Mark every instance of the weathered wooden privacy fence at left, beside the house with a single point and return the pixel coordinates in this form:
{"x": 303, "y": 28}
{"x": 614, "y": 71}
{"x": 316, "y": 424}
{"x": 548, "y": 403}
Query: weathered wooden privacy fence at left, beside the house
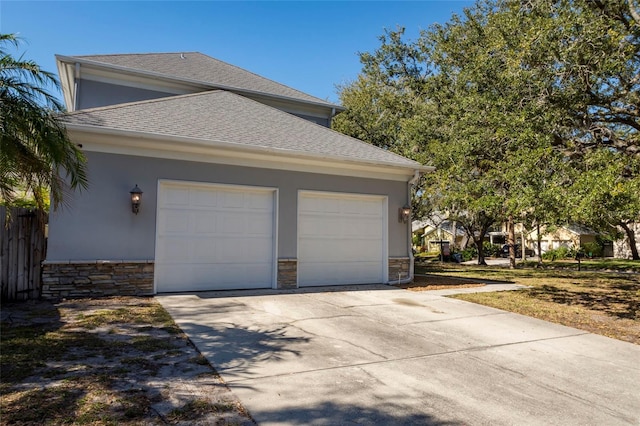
{"x": 22, "y": 250}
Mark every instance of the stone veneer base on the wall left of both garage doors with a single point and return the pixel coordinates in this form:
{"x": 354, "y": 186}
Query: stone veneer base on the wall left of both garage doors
{"x": 73, "y": 279}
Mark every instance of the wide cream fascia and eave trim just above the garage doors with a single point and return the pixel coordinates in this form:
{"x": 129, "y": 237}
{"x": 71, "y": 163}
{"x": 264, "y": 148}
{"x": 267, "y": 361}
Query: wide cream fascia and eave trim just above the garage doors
{"x": 144, "y": 144}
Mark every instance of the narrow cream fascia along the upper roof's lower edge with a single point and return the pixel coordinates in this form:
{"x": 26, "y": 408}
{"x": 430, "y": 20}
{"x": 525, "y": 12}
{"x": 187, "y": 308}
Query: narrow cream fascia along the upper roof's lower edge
{"x": 129, "y": 71}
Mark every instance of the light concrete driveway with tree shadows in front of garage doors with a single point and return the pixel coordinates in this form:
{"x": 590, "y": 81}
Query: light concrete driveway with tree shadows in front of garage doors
{"x": 380, "y": 355}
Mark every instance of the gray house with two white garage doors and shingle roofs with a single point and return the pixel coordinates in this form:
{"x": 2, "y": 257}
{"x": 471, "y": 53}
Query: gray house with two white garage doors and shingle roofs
{"x": 243, "y": 184}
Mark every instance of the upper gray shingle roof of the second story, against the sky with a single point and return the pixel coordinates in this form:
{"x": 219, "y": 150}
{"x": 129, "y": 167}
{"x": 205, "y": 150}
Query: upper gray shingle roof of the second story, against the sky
{"x": 197, "y": 67}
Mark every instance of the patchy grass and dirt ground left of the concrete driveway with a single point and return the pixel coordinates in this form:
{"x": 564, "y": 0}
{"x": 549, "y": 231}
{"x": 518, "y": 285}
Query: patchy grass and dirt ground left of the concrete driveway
{"x": 119, "y": 360}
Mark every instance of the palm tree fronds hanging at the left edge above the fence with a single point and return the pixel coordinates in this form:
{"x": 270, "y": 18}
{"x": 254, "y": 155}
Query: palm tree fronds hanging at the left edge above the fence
{"x": 34, "y": 146}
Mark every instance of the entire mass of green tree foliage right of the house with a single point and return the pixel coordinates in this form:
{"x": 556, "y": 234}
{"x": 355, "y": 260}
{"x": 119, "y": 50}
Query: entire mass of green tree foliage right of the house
{"x": 518, "y": 105}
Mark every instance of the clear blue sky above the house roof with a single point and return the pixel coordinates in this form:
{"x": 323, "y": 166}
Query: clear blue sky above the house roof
{"x": 309, "y": 45}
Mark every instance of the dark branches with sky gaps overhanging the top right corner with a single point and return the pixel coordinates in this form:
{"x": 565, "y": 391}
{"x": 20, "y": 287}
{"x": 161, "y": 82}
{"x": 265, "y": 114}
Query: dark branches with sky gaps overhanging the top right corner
{"x": 595, "y": 57}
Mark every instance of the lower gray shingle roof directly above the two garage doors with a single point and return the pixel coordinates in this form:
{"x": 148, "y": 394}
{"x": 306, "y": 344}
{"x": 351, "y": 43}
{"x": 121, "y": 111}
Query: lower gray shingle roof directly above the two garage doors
{"x": 221, "y": 116}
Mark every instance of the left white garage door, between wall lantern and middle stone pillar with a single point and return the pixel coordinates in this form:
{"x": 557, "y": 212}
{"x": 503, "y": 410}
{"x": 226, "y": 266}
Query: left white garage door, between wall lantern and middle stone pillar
{"x": 214, "y": 237}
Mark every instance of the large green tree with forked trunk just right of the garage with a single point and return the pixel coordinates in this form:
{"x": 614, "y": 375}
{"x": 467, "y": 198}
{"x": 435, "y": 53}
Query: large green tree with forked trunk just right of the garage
{"x": 467, "y": 111}
